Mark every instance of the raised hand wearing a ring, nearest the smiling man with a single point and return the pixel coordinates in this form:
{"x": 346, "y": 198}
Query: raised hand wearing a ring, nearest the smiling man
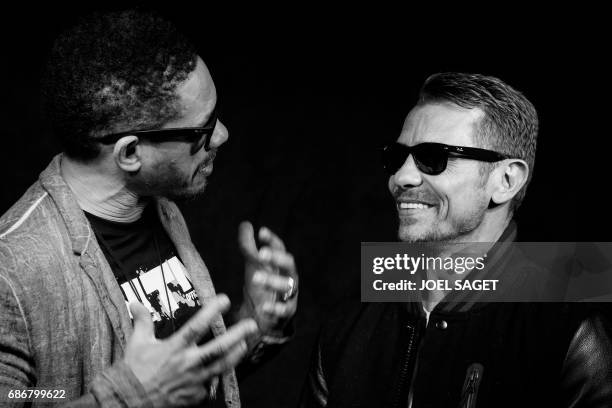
{"x": 271, "y": 279}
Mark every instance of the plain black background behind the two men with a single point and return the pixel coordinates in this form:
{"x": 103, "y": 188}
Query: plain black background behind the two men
{"x": 308, "y": 94}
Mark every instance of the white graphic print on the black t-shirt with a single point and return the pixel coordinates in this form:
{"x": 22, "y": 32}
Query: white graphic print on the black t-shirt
{"x": 170, "y": 297}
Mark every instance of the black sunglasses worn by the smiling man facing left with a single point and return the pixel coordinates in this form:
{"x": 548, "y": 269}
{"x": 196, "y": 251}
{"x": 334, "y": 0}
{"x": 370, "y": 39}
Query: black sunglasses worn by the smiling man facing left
{"x": 432, "y": 158}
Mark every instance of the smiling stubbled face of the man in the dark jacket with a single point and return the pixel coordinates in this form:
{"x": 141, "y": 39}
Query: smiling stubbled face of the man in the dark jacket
{"x": 452, "y": 206}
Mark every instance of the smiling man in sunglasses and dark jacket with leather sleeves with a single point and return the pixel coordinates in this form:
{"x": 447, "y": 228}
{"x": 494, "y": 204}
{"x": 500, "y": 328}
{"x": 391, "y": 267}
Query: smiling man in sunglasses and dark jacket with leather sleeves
{"x": 458, "y": 172}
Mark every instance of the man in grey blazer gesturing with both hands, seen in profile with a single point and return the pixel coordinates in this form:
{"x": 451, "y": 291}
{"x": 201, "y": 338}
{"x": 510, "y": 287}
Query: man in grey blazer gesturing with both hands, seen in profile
{"x": 104, "y": 300}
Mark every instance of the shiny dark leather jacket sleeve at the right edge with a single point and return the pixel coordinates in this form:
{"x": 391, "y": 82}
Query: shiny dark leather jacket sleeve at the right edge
{"x": 587, "y": 369}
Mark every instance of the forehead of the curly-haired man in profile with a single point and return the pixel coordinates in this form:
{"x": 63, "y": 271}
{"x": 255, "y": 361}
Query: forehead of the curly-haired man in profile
{"x": 197, "y": 94}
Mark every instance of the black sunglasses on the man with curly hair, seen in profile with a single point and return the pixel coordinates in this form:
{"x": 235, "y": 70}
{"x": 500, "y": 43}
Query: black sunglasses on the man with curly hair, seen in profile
{"x": 198, "y": 136}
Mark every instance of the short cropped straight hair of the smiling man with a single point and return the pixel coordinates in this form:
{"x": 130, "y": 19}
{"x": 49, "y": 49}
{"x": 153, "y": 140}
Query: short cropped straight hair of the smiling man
{"x": 510, "y": 124}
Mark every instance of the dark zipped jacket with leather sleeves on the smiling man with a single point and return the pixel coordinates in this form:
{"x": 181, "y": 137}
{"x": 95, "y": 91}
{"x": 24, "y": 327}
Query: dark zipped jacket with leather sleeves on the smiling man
{"x": 470, "y": 354}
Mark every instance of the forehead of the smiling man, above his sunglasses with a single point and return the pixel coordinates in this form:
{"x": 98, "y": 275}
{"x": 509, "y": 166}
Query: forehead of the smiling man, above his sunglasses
{"x": 441, "y": 123}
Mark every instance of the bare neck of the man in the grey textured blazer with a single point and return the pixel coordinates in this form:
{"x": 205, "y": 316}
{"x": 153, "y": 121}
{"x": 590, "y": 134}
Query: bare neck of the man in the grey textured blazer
{"x": 100, "y": 190}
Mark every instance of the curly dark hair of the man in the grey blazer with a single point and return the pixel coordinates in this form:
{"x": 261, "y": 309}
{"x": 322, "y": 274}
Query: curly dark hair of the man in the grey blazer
{"x": 112, "y": 72}
